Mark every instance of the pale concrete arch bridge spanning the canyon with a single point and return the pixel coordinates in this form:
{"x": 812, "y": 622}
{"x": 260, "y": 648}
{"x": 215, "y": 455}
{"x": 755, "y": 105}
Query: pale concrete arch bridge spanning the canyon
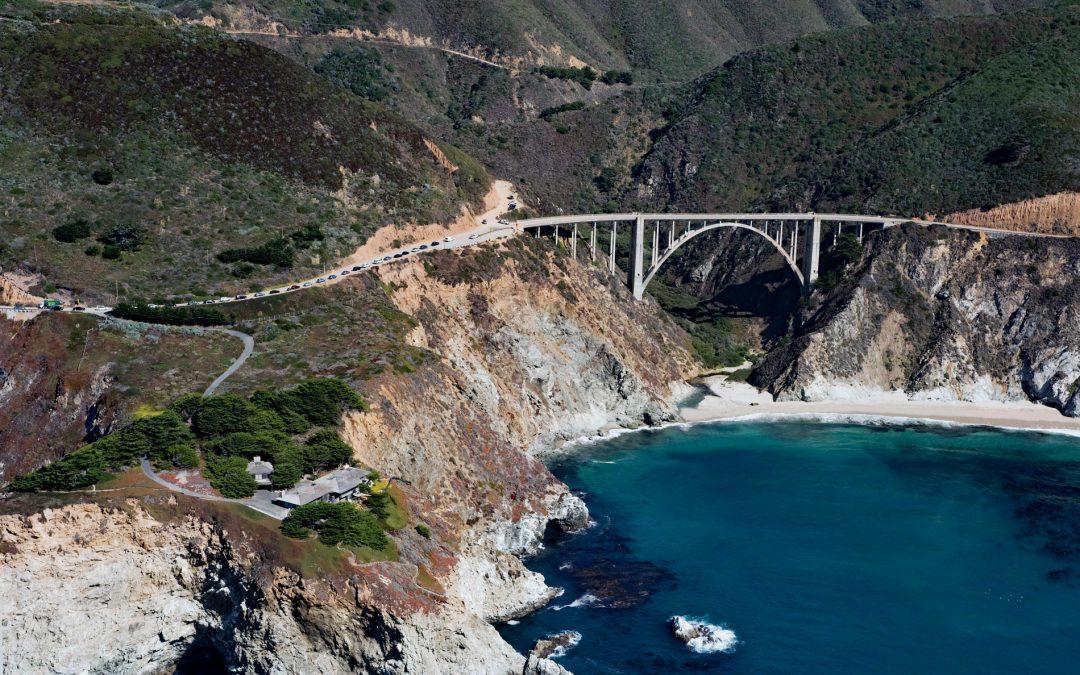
{"x": 655, "y": 238}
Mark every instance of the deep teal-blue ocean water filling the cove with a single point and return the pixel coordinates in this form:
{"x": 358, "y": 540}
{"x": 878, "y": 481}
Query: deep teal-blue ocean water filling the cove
{"x": 823, "y": 548}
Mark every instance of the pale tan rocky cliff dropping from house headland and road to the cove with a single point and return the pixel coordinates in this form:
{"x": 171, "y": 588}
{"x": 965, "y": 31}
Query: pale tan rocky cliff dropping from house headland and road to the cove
{"x": 521, "y": 348}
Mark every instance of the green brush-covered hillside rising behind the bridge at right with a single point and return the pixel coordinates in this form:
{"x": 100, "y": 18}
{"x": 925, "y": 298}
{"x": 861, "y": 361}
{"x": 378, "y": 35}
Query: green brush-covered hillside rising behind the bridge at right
{"x": 899, "y": 118}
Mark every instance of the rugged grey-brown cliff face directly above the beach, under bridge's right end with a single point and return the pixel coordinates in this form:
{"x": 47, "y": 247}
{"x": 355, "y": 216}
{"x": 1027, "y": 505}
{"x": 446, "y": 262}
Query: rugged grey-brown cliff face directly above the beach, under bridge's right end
{"x": 943, "y": 315}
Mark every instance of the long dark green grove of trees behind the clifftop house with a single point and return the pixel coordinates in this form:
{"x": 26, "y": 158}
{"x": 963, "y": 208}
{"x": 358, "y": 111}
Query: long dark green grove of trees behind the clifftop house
{"x": 229, "y": 429}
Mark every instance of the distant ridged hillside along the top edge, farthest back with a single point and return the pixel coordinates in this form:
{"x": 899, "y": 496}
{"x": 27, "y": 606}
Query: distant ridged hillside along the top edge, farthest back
{"x": 655, "y": 39}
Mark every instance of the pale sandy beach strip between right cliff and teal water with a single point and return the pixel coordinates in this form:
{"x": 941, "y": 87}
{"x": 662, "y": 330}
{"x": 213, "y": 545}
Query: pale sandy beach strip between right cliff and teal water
{"x": 739, "y": 400}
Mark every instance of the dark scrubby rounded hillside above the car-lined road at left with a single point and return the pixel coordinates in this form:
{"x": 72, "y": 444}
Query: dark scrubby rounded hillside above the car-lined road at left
{"x": 156, "y": 148}
